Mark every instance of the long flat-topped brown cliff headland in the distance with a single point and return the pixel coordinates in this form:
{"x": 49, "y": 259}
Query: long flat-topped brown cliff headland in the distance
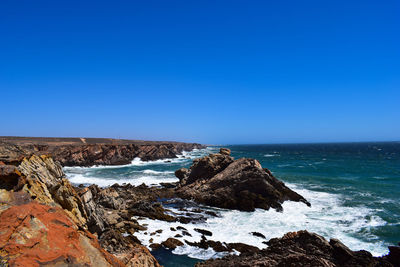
{"x": 96, "y": 151}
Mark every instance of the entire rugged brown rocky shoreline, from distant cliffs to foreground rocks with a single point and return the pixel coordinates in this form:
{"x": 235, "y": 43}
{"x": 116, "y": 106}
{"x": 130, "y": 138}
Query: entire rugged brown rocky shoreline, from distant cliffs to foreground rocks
{"x": 40, "y": 211}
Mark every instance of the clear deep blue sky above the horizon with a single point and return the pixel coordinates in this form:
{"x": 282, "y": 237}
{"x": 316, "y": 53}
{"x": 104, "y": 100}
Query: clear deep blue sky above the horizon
{"x": 206, "y": 71}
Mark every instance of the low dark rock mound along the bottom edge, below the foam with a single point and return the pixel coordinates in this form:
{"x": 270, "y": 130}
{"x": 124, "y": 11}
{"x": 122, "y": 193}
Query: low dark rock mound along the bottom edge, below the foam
{"x": 301, "y": 248}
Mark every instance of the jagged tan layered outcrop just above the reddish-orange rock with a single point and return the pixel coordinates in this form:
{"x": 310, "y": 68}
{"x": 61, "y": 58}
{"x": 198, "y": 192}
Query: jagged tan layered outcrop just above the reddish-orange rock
{"x": 42, "y": 179}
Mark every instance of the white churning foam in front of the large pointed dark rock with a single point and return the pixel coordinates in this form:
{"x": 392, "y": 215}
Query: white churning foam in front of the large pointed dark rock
{"x": 327, "y": 217}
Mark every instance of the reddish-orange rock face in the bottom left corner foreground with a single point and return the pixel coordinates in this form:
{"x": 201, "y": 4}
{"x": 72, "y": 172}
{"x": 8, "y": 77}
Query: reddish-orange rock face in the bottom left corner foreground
{"x": 34, "y": 234}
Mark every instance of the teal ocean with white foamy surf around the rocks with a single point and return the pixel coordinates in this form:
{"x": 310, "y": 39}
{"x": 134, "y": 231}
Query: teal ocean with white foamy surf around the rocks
{"x": 354, "y": 190}
